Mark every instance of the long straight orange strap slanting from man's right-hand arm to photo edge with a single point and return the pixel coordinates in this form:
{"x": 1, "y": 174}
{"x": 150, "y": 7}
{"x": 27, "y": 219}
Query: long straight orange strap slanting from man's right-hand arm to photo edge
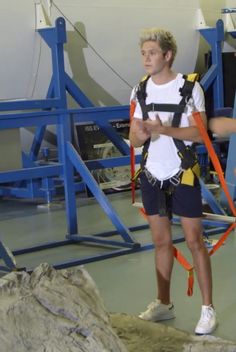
{"x": 214, "y": 159}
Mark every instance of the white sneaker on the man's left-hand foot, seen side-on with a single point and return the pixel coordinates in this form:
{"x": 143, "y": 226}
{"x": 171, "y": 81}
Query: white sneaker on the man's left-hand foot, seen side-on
{"x": 156, "y": 311}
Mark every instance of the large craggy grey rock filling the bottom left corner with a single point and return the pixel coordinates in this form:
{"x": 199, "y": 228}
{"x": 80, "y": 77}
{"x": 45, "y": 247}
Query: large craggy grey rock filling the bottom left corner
{"x": 54, "y": 311}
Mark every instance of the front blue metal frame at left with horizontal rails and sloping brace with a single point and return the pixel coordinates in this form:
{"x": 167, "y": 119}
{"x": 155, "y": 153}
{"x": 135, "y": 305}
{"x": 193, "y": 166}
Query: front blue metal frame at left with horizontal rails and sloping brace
{"x": 70, "y": 159}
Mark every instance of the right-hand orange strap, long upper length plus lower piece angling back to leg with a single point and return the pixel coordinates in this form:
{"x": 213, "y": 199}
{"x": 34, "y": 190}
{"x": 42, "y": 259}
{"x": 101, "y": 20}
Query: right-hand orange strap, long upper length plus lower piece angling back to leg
{"x": 218, "y": 169}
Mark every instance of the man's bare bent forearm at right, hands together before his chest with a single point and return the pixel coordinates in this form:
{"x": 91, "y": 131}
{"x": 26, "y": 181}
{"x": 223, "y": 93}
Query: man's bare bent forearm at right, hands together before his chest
{"x": 190, "y": 133}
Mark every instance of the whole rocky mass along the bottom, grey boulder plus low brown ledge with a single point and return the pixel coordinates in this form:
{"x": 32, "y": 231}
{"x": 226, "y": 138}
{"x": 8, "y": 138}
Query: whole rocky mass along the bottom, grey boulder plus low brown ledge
{"x": 62, "y": 311}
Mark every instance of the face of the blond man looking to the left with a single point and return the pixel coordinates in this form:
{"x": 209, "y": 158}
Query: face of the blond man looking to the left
{"x": 153, "y": 58}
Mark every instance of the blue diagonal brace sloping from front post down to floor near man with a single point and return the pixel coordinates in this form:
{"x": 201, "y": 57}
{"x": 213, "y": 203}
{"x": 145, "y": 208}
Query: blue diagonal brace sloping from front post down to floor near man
{"x": 97, "y": 192}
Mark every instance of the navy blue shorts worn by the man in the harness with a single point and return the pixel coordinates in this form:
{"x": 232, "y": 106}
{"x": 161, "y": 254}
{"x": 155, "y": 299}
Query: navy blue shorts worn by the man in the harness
{"x": 186, "y": 200}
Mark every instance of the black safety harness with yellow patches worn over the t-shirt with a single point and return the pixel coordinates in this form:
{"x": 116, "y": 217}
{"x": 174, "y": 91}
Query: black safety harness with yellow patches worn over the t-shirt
{"x": 187, "y": 154}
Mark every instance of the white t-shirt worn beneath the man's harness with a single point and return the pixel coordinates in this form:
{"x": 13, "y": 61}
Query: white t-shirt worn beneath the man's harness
{"x": 163, "y": 161}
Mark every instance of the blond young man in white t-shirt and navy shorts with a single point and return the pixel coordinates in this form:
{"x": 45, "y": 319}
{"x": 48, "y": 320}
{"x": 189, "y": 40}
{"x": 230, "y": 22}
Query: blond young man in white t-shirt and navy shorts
{"x": 162, "y": 172}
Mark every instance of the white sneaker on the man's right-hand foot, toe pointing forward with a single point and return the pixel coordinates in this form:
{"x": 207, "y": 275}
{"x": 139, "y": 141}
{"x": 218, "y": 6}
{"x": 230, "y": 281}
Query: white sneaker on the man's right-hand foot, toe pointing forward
{"x": 207, "y": 322}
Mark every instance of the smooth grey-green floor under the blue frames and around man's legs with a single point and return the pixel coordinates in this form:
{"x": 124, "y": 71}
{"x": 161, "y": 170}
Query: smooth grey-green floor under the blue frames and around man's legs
{"x": 126, "y": 283}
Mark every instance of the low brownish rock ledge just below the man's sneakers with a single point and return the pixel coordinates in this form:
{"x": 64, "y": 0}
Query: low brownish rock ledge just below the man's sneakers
{"x": 142, "y": 336}
